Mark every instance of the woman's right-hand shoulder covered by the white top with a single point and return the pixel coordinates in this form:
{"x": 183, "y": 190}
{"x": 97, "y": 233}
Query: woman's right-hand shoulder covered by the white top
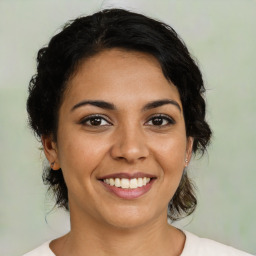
{"x": 196, "y": 246}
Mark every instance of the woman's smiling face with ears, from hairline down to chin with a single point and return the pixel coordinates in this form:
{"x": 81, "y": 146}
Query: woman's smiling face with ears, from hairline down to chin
{"x": 121, "y": 141}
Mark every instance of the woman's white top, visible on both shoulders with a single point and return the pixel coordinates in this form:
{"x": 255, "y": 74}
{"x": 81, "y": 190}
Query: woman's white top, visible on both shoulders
{"x": 194, "y": 246}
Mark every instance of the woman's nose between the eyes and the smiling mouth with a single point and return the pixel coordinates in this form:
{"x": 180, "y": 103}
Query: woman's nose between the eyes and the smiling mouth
{"x": 129, "y": 144}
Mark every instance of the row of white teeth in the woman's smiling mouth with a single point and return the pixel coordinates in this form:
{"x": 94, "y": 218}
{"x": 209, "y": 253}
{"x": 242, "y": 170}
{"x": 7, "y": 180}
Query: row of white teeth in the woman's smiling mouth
{"x": 127, "y": 183}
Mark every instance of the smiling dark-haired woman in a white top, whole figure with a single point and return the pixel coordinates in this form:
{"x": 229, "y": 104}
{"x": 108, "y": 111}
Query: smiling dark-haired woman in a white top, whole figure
{"x": 118, "y": 104}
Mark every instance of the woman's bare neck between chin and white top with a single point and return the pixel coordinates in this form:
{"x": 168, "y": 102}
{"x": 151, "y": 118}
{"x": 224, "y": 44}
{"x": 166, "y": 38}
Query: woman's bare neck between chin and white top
{"x": 90, "y": 237}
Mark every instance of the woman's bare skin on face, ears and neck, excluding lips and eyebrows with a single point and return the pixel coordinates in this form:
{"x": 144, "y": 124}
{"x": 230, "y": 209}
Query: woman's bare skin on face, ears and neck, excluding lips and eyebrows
{"x": 125, "y": 140}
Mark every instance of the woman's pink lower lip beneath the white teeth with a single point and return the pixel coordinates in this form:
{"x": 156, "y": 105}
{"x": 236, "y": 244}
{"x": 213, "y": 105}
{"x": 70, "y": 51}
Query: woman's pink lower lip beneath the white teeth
{"x": 129, "y": 193}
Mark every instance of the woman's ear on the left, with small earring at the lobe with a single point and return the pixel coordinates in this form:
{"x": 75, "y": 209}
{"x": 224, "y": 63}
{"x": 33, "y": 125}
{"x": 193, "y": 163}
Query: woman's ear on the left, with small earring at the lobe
{"x": 50, "y": 151}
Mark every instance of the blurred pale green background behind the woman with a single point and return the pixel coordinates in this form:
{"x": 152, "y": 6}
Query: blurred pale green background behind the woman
{"x": 222, "y": 36}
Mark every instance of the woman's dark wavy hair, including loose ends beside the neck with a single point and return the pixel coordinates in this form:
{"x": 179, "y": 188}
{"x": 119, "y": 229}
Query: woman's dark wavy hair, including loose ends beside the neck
{"x": 117, "y": 28}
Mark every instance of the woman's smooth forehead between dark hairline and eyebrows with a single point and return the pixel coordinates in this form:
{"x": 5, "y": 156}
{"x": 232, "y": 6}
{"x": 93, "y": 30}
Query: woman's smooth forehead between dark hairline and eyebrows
{"x": 120, "y": 75}
